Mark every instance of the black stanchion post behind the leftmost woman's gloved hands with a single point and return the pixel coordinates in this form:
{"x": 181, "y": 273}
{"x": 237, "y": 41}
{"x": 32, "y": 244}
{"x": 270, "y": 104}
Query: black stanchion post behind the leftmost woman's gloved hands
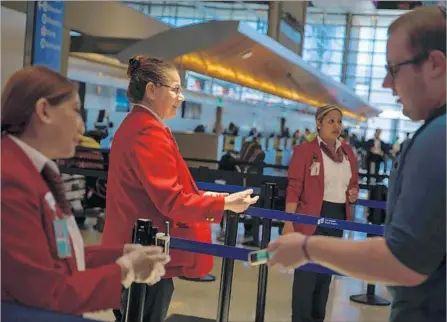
{"x": 144, "y": 234}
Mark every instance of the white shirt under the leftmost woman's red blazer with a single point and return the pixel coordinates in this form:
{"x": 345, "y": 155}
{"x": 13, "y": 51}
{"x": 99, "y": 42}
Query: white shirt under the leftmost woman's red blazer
{"x": 39, "y": 161}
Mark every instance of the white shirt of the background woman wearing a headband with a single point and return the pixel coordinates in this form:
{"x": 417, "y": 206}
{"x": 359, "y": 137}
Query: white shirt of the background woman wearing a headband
{"x": 336, "y": 177}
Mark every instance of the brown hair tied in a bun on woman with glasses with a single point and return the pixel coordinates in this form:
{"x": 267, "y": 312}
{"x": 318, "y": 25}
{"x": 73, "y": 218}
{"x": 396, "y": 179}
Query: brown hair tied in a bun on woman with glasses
{"x": 142, "y": 70}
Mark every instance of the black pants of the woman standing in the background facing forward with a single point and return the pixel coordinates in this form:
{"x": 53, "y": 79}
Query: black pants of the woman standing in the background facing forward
{"x": 311, "y": 290}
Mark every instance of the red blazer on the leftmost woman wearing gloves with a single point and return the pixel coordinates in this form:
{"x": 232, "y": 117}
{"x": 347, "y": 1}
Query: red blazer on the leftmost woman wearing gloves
{"x": 32, "y": 273}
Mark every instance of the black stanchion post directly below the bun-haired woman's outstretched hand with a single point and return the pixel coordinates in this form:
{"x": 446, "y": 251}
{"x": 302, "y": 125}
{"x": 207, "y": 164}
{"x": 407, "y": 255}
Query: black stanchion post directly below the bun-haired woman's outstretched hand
{"x": 226, "y": 279}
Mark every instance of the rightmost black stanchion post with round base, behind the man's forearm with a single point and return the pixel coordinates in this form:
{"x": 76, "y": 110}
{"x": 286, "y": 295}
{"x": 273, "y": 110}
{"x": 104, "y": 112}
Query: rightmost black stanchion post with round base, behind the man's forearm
{"x": 375, "y": 218}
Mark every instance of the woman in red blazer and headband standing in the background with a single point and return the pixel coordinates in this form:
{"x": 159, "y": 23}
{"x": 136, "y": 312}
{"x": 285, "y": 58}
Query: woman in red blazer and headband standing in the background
{"x": 323, "y": 181}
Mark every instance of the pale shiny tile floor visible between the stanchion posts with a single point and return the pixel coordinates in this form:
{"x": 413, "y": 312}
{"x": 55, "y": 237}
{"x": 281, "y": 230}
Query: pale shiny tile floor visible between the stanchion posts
{"x": 200, "y": 299}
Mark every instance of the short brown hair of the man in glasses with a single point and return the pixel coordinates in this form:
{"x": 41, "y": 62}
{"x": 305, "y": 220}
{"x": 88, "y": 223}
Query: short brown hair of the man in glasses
{"x": 426, "y": 27}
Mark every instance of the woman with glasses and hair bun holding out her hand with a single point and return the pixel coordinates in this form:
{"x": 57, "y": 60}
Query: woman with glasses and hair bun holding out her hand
{"x": 149, "y": 178}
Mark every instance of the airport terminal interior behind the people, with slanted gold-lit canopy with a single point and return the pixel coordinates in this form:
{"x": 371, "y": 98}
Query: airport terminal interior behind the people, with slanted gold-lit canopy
{"x": 251, "y": 71}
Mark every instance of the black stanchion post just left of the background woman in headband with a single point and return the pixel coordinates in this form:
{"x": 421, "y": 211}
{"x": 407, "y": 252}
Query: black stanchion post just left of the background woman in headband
{"x": 269, "y": 192}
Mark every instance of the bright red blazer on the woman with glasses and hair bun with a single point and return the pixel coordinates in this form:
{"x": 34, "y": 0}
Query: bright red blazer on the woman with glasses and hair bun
{"x": 148, "y": 178}
